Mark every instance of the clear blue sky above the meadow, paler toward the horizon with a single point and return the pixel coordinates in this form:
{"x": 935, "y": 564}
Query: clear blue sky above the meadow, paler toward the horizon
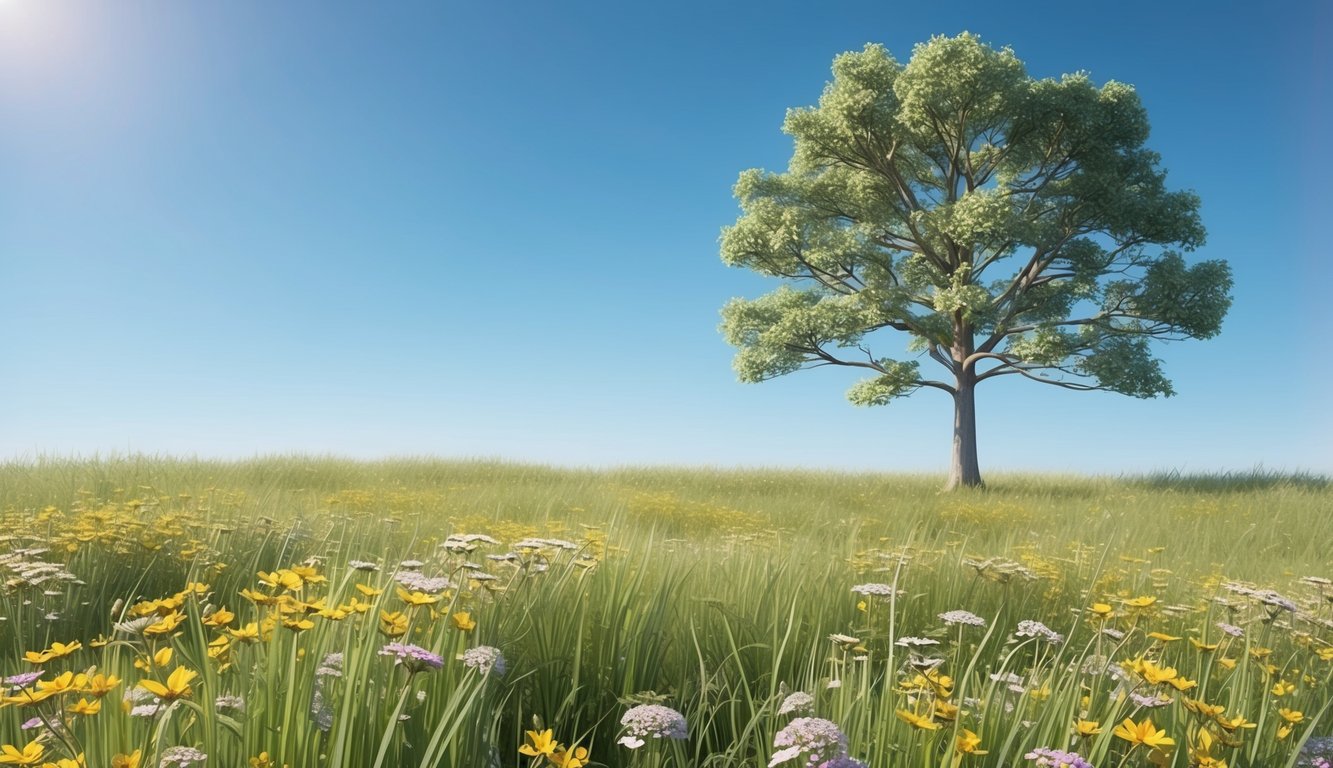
{"x": 490, "y": 230}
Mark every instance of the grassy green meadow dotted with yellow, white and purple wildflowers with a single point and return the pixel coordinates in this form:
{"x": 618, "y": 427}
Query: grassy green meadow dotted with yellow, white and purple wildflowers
{"x": 305, "y": 611}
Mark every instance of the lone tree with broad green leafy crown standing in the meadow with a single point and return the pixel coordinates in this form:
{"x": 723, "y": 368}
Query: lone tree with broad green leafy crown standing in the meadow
{"x": 1007, "y": 226}
